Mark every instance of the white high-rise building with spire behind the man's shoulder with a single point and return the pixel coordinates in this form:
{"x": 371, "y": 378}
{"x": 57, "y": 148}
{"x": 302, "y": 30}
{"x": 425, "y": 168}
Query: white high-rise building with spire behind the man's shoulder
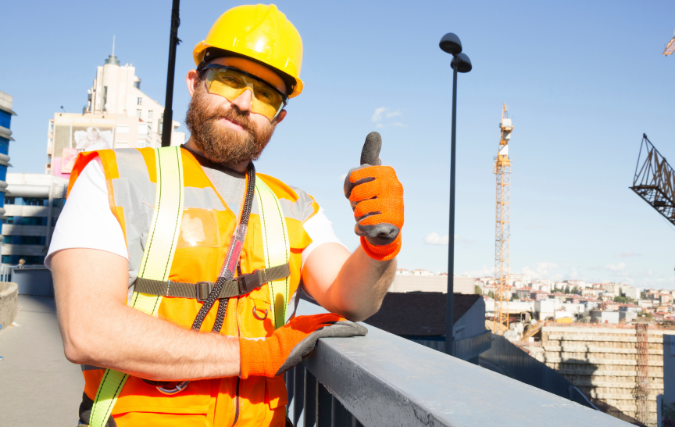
{"x": 117, "y": 115}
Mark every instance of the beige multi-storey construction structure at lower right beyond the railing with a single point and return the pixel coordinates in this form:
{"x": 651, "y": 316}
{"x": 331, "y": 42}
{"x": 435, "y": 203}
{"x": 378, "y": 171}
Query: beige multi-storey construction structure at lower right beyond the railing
{"x": 618, "y": 367}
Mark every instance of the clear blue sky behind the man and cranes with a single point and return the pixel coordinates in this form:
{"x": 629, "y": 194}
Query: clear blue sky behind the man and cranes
{"x": 583, "y": 81}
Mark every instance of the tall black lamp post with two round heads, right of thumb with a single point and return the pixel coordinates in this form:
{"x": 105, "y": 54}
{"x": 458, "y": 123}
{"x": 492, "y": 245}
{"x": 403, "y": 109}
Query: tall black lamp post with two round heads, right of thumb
{"x": 460, "y": 63}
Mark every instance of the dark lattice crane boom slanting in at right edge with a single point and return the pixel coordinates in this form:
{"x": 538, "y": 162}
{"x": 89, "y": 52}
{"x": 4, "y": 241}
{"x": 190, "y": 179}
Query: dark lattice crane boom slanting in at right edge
{"x": 654, "y": 180}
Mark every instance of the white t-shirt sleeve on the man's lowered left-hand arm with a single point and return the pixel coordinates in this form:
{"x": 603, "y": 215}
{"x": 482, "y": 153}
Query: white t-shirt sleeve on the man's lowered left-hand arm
{"x": 86, "y": 220}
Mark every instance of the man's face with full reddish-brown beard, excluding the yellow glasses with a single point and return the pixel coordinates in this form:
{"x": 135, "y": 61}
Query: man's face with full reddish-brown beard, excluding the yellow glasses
{"x": 228, "y": 132}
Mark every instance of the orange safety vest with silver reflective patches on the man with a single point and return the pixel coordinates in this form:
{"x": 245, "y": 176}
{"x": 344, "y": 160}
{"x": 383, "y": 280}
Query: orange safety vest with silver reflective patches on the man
{"x": 257, "y": 401}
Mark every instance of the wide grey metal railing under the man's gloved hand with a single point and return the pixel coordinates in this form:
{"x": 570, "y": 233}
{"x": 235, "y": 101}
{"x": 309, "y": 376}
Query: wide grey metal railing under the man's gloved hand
{"x": 385, "y": 380}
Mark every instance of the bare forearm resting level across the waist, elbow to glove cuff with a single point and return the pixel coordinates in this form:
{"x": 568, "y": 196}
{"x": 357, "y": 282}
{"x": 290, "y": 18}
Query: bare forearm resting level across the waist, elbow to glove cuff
{"x": 127, "y": 340}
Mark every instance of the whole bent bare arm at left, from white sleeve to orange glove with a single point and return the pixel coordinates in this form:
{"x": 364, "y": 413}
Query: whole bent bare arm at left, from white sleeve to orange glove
{"x": 98, "y": 328}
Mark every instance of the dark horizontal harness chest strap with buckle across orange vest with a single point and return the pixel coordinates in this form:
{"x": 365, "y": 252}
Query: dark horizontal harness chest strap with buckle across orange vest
{"x": 240, "y": 285}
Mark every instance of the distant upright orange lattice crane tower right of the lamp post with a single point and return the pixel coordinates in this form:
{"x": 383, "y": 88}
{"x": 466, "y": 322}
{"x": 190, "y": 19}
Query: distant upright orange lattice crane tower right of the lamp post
{"x": 503, "y": 171}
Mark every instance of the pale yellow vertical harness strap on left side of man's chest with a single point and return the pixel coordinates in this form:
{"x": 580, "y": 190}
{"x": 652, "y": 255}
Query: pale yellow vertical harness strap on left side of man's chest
{"x": 156, "y": 264}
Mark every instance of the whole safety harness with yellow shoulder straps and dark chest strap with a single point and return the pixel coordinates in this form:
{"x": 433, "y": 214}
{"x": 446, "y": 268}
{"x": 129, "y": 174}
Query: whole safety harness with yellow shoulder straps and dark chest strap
{"x": 153, "y": 284}
